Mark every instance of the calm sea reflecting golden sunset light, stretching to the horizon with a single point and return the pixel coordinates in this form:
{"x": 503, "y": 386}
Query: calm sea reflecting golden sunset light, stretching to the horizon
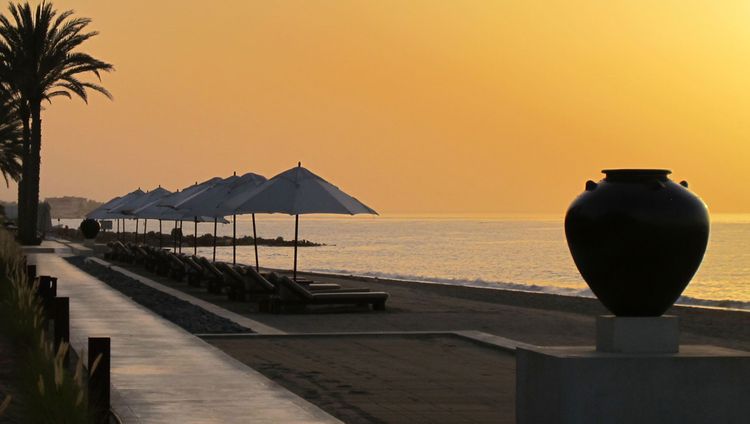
{"x": 517, "y": 252}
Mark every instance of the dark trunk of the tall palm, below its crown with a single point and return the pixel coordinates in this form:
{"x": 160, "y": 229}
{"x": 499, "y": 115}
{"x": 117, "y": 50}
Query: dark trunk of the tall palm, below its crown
{"x": 31, "y": 190}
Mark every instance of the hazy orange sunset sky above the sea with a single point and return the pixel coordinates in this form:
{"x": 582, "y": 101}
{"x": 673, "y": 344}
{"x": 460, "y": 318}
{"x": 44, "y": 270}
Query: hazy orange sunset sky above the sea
{"x": 411, "y": 106}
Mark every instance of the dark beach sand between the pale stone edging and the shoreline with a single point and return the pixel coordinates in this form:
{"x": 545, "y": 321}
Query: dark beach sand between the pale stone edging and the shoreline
{"x": 534, "y": 318}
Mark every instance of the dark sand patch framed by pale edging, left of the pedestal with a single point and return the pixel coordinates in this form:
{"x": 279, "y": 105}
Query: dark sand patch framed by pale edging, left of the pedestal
{"x": 388, "y": 379}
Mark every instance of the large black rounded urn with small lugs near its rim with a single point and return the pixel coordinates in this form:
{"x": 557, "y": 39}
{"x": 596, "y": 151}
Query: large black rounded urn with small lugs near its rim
{"x": 637, "y": 238}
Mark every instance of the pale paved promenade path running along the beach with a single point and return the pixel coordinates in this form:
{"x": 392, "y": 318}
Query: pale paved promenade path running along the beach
{"x": 161, "y": 373}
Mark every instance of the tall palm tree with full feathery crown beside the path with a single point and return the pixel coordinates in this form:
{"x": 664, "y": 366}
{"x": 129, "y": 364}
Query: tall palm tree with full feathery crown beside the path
{"x": 39, "y": 61}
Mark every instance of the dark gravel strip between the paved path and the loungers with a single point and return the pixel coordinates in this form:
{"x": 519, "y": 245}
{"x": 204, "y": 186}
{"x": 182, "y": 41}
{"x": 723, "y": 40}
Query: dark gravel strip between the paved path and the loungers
{"x": 192, "y": 318}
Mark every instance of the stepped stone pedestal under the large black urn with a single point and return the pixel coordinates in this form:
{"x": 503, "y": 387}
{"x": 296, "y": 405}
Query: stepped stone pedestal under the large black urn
{"x": 626, "y": 380}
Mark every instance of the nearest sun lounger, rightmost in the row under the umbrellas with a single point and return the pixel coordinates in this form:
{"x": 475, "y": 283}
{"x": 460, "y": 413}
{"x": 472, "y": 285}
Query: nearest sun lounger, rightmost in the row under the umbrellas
{"x": 292, "y": 294}
